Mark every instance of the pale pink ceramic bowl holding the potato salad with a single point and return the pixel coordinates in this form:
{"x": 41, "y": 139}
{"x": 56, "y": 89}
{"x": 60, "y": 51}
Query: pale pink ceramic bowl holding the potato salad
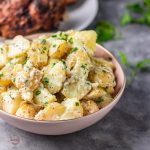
{"x": 69, "y": 126}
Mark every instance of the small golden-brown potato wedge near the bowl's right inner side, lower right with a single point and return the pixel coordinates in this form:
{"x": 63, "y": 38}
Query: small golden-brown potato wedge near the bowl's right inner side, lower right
{"x": 95, "y": 93}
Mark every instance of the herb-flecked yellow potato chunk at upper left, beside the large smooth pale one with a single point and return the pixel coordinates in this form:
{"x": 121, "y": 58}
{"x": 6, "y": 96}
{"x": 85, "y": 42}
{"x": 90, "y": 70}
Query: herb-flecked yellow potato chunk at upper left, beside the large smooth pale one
{"x": 38, "y": 53}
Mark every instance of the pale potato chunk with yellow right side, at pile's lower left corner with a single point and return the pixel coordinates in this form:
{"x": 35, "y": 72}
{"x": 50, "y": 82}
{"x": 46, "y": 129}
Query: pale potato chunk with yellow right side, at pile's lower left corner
{"x": 11, "y": 100}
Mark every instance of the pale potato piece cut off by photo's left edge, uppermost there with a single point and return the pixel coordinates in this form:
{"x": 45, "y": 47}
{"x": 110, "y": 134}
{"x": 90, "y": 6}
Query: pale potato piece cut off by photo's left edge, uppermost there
{"x": 3, "y": 55}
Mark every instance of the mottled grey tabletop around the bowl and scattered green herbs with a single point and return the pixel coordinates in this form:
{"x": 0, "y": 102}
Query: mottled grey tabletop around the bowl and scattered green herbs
{"x": 127, "y": 126}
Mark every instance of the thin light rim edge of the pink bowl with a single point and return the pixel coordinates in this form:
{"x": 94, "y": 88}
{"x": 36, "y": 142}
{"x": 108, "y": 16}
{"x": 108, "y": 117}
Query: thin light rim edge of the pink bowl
{"x": 120, "y": 92}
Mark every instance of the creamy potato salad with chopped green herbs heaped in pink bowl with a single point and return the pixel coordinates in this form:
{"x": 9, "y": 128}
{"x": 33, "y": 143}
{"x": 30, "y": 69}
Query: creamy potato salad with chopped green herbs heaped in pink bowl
{"x": 54, "y": 77}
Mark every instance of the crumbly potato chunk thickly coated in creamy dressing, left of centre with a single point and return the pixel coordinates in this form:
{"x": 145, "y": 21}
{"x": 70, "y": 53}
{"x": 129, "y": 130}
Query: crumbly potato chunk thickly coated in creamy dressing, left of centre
{"x": 26, "y": 79}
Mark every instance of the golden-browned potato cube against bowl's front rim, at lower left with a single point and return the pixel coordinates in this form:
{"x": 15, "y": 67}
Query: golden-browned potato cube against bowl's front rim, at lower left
{"x": 27, "y": 110}
